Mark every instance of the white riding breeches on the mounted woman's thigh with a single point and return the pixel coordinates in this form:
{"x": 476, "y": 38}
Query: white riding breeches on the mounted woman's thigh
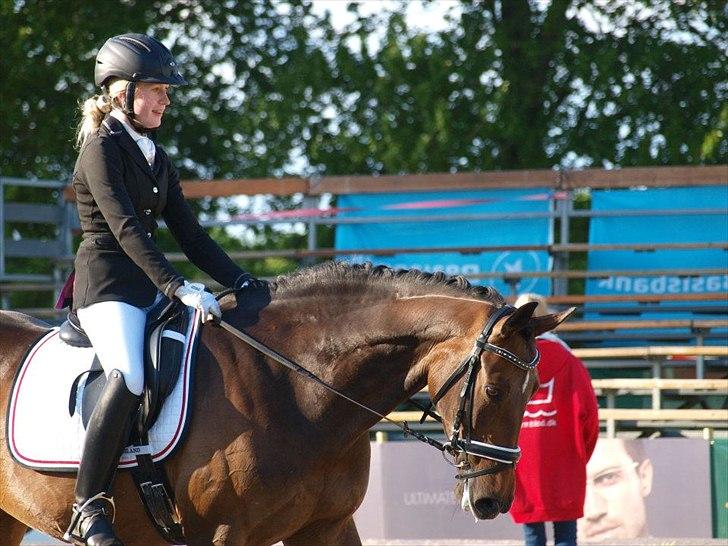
{"x": 116, "y": 330}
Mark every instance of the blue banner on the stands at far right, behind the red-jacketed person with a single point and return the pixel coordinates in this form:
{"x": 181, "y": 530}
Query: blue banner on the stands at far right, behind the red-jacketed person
{"x": 662, "y": 228}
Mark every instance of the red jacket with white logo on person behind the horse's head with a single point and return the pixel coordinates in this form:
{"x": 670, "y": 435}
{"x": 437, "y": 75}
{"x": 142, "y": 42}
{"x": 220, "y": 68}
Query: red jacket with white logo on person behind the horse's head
{"x": 560, "y": 428}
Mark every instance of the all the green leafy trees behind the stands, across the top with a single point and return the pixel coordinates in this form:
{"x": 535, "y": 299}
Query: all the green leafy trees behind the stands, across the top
{"x": 275, "y": 90}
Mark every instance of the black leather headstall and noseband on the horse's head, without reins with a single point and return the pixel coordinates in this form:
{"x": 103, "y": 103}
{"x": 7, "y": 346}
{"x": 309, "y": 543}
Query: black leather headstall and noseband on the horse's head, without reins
{"x": 502, "y": 455}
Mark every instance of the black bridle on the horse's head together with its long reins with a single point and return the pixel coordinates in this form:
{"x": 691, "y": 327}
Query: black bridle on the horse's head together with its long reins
{"x": 502, "y": 455}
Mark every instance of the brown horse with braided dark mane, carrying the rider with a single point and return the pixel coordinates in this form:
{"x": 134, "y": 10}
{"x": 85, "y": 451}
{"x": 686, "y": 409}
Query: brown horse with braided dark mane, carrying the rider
{"x": 272, "y": 456}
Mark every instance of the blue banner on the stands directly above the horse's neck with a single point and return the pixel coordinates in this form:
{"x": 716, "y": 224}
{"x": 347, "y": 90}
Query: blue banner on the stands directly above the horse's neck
{"x": 420, "y": 232}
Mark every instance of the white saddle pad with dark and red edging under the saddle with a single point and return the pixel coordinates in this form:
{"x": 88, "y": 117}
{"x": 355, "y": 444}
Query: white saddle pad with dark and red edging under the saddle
{"x": 40, "y": 432}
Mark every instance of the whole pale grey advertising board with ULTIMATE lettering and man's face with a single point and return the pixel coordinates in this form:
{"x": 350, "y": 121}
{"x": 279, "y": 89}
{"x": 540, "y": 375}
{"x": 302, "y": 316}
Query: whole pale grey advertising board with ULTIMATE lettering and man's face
{"x": 635, "y": 488}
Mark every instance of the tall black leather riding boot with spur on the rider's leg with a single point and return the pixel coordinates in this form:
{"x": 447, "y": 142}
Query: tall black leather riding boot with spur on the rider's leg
{"x": 106, "y": 436}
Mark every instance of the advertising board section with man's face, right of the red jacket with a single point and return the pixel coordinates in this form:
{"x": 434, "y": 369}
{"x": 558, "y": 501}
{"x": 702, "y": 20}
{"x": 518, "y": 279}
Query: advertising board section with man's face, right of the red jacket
{"x": 647, "y": 488}
